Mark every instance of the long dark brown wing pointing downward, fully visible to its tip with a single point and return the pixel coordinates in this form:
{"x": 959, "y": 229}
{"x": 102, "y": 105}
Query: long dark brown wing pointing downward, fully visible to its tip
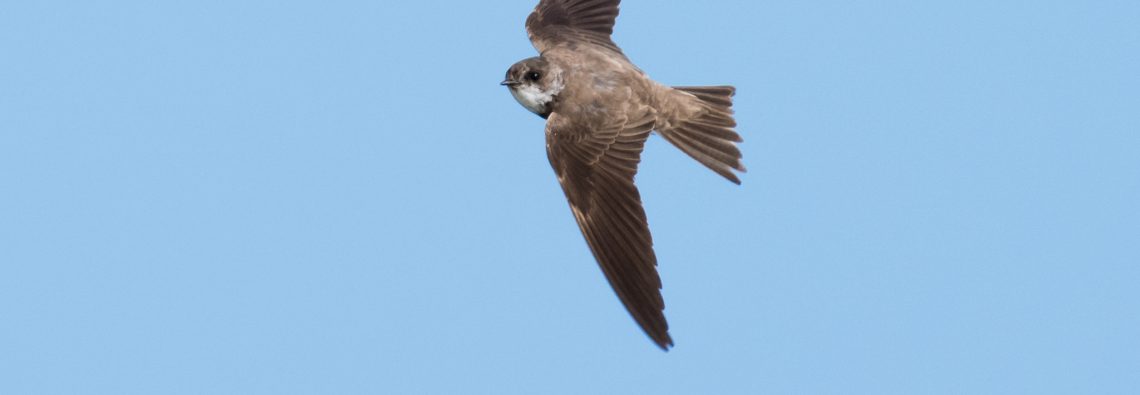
{"x": 597, "y": 171}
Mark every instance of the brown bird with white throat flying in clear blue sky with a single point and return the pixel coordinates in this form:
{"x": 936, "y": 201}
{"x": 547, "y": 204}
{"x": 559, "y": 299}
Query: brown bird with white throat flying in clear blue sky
{"x": 600, "y": 109}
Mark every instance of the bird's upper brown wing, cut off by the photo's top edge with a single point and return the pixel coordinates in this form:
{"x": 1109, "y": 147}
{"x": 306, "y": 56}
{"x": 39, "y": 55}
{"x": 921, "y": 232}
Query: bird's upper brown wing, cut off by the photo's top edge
{"x": 556, "y": 22}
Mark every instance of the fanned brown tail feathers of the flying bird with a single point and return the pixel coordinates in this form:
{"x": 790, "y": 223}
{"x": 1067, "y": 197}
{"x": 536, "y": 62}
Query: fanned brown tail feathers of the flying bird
{"x": 707, "y": 134}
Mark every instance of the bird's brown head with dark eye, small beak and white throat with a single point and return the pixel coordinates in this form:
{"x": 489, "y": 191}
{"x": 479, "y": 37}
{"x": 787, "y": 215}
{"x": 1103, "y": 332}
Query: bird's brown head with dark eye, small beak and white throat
{"x": 535, "y": 84}
